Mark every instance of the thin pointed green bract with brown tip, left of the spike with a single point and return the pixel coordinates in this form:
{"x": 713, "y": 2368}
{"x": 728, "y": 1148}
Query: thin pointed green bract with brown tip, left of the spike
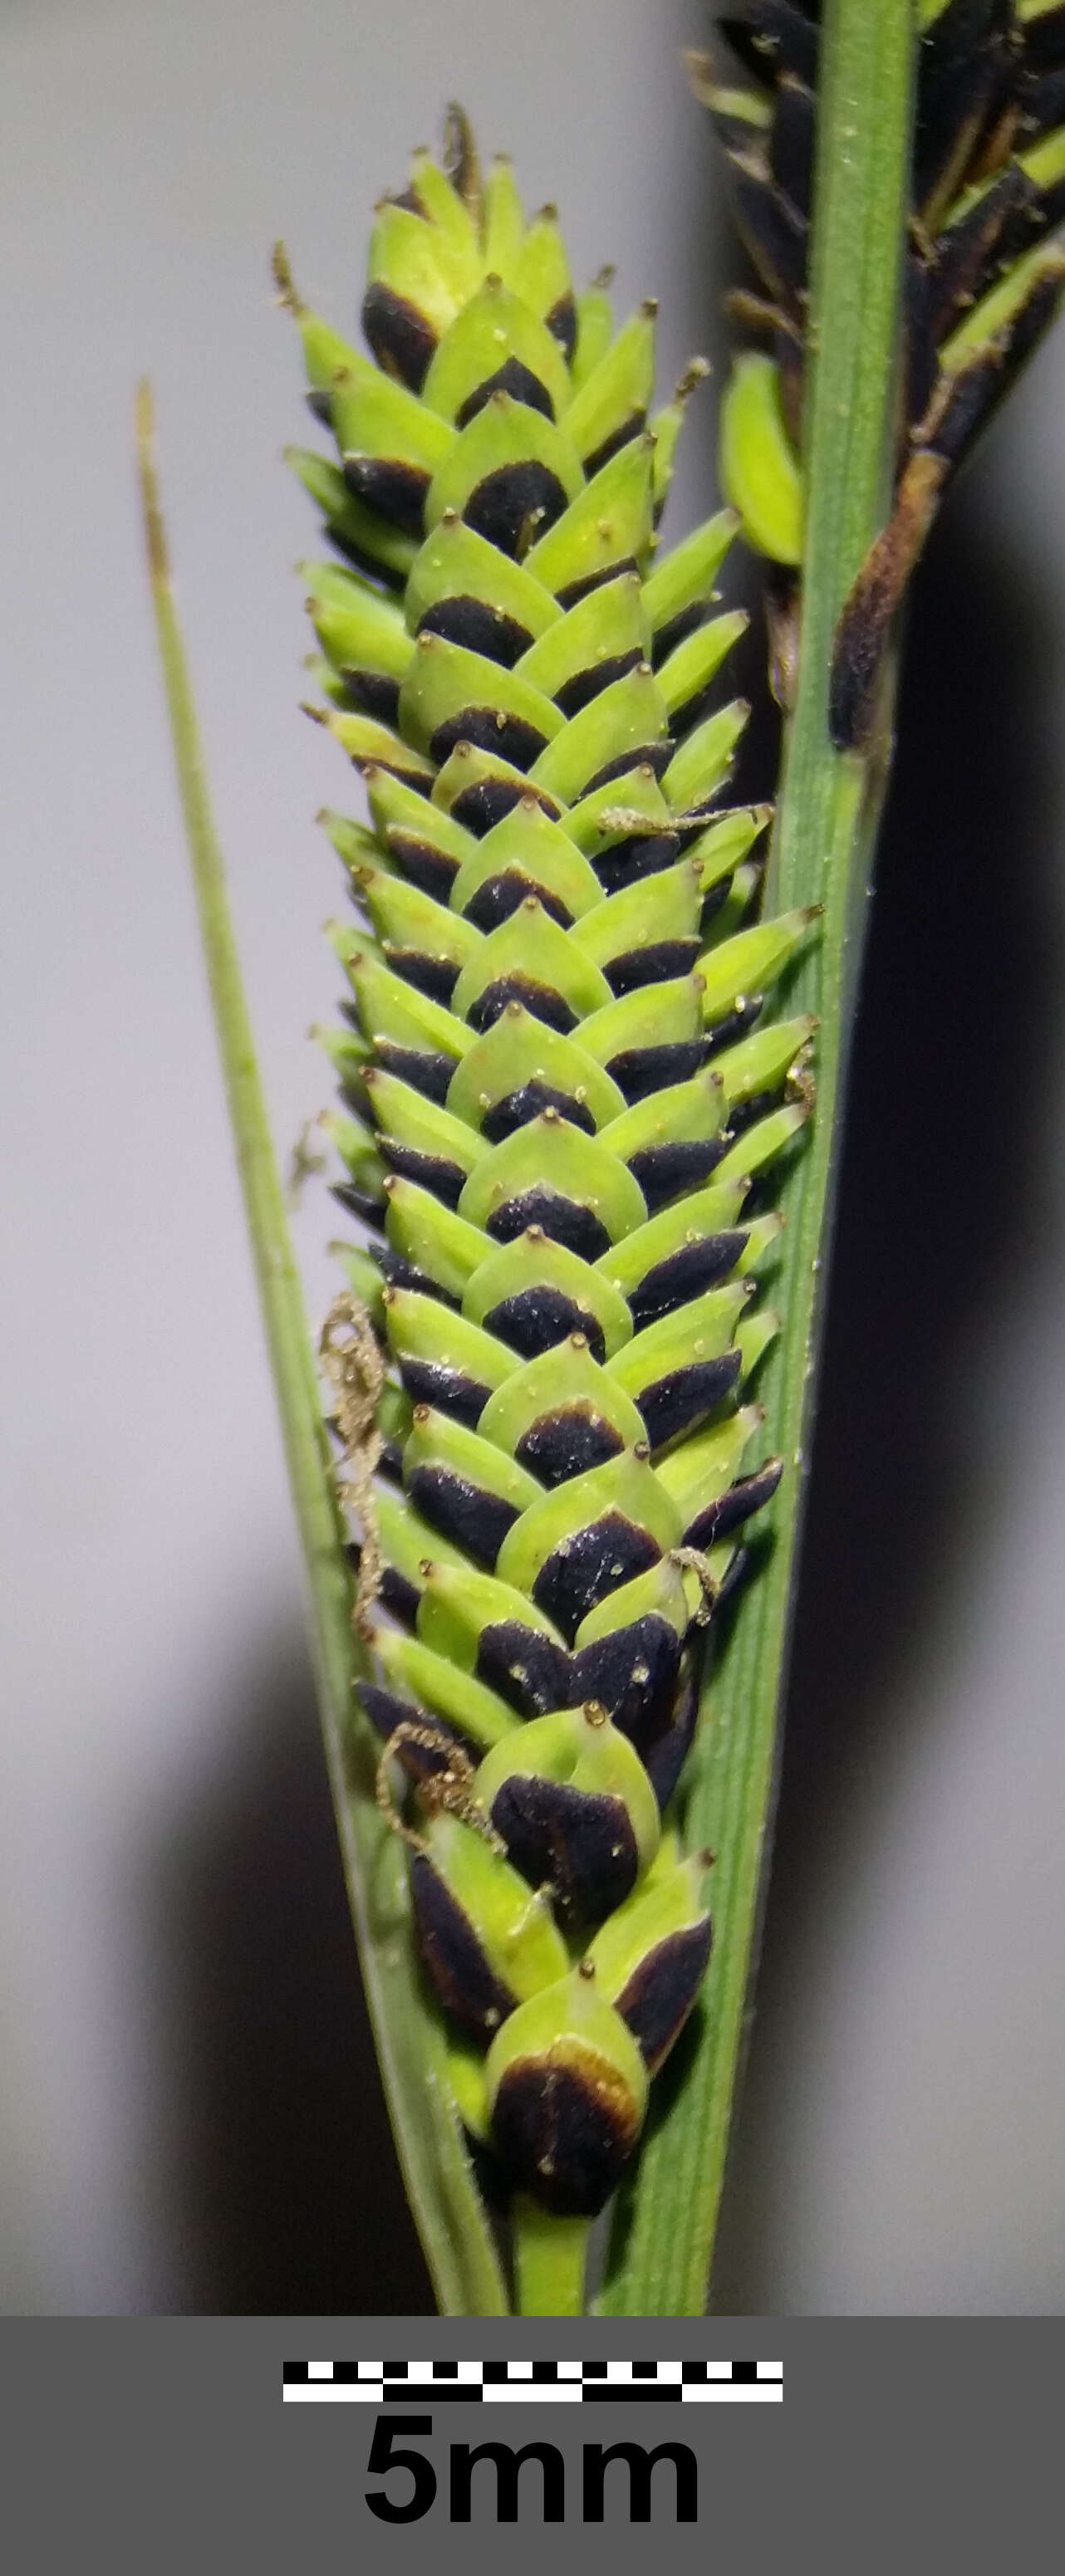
{"x": 409, "y": 2039}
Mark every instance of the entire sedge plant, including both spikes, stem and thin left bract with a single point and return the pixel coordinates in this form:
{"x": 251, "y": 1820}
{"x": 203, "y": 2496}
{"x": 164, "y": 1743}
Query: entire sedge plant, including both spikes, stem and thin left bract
{"x": 569, "y": 1086}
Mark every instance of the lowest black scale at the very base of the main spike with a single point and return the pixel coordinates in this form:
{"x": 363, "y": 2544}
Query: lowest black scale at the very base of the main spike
{"x": 563, "y": 2137}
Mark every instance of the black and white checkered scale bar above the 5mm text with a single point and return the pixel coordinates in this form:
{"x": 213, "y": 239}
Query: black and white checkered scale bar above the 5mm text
{"x": 535, "y": 2384}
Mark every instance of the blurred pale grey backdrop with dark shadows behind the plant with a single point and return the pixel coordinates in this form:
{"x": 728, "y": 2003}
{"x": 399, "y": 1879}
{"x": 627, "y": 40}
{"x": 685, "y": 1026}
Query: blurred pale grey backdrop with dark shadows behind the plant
{"x": 187, "y": 2108}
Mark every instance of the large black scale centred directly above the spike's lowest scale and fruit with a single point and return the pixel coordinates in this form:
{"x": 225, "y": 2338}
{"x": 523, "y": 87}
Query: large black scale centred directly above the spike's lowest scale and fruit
{"x": 574, "y": 1841}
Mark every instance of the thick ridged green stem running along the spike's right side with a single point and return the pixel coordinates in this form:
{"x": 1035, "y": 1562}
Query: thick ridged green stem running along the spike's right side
{"x": 821, "y": 857}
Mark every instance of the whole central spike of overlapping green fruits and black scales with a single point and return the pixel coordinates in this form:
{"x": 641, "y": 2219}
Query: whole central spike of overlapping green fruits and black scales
{"x": 561, "y": 1112}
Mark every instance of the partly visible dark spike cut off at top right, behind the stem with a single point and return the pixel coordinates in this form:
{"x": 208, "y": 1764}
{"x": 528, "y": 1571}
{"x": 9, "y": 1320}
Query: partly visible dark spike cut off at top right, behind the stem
{"x": 984, "y": 277}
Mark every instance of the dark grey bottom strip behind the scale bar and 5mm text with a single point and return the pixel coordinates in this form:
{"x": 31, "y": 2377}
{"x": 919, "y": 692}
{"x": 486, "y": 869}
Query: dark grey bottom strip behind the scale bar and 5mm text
{"x": 171, "y": 2430}
